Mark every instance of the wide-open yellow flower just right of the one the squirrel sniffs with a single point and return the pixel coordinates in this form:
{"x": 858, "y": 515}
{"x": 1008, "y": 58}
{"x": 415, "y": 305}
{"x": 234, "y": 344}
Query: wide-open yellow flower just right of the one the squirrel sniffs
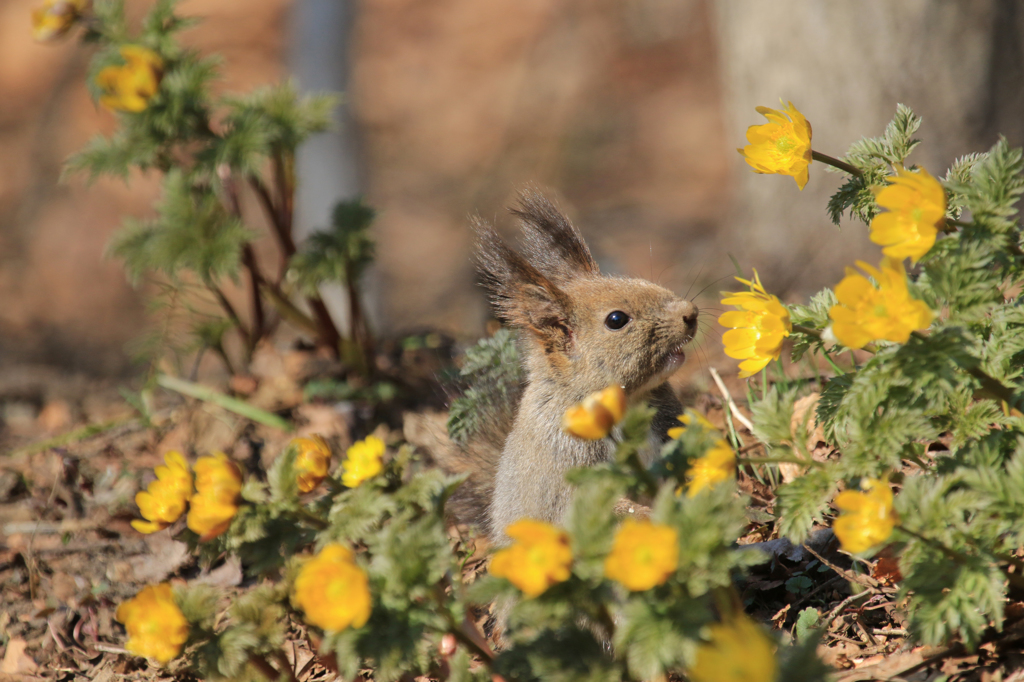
{"x": 868, "y": 314}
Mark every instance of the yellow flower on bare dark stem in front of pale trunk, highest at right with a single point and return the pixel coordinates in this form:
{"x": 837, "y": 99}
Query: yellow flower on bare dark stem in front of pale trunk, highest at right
{"x": 783, "y": 146}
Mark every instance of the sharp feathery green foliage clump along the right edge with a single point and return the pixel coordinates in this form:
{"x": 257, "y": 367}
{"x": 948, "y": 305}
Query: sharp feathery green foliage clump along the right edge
{"x": 959, "y": 383}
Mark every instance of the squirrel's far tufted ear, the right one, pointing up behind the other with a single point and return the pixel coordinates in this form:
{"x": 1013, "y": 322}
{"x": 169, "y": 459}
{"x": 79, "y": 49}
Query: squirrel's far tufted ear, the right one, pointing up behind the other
{"x": 554, "y": 246}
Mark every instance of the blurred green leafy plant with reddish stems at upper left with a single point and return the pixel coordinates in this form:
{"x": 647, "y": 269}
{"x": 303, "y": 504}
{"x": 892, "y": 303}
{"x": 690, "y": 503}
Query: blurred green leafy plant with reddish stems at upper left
{"x": 218, "y": 155}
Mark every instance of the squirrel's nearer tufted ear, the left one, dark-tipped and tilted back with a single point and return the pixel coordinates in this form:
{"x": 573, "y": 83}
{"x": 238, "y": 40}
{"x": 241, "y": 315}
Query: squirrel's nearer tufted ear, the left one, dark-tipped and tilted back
{"x": 523, "y": 296}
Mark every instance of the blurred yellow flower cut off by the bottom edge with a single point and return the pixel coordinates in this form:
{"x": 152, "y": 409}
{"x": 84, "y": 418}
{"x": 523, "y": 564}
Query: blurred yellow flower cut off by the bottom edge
{"x": 739, "y": 652}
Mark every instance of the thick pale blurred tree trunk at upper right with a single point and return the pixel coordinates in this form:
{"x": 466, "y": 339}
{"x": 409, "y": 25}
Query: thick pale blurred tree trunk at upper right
{"x": 845, "y": 66}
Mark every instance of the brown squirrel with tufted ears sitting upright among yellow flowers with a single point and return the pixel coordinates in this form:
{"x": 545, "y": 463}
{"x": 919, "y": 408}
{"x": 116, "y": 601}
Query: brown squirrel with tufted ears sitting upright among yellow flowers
{"x": 580, "y": 331}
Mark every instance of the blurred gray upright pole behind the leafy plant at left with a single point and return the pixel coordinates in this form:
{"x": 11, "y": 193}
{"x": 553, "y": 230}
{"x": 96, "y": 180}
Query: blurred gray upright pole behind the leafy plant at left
{"x": 328, "y": 165}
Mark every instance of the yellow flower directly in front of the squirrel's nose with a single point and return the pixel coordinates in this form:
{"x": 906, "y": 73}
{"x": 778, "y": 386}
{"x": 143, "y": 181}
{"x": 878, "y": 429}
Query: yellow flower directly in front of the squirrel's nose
{"x": 757, "y": 329}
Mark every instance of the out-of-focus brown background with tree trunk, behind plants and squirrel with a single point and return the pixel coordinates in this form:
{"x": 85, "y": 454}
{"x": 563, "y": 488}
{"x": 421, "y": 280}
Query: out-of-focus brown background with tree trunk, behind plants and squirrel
{"x": 627, "y": 112}
